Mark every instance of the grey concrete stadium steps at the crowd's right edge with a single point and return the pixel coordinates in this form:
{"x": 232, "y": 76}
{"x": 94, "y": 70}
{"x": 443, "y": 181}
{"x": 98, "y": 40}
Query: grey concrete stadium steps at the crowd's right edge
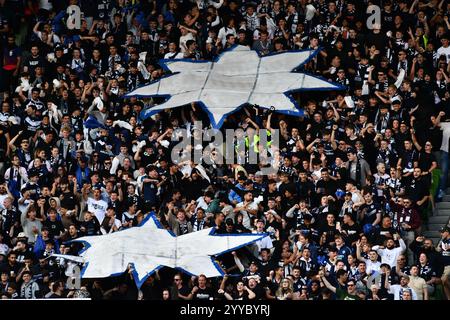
{"x": 440, "y": 217}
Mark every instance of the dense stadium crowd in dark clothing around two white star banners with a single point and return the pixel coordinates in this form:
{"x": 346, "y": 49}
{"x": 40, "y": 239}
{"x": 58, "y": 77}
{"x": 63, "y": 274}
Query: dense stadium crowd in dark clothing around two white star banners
{"x": 351, "y": 197}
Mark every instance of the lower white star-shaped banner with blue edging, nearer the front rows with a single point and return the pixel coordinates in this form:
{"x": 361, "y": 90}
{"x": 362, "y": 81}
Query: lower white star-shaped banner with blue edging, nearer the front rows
{"x": 149, "y": 246}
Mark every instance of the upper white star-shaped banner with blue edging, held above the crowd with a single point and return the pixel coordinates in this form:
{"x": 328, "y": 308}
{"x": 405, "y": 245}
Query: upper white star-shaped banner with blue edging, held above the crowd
{"x": 239, "y": 76}
